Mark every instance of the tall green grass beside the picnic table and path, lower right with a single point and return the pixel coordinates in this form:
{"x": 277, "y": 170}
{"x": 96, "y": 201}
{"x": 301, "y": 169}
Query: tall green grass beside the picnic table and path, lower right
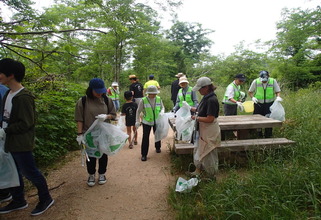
{"x": 278, "y": 184}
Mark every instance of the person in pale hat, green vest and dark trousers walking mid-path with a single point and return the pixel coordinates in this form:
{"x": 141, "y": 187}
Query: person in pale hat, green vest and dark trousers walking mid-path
{"x": 151, "y": 106}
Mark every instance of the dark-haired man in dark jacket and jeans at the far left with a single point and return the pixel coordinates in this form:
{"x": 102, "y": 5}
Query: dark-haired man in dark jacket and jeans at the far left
{"x": 18, "y": 132}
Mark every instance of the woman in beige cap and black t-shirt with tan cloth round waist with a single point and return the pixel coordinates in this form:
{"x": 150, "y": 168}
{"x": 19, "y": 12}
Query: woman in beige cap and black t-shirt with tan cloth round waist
{"x": 205, "y": 154}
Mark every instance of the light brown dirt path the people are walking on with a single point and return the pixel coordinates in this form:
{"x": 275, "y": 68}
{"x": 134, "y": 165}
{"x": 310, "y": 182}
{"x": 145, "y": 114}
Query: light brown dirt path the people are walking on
{"x": 134, "y": 190}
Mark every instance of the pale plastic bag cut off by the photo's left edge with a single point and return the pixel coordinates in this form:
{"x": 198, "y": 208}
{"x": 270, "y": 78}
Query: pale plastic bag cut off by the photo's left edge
{"x": 8, "y": 171}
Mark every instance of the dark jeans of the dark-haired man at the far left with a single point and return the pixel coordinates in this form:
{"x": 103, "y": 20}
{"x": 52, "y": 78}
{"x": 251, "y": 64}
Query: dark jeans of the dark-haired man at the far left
{"x": 27, "y": 167}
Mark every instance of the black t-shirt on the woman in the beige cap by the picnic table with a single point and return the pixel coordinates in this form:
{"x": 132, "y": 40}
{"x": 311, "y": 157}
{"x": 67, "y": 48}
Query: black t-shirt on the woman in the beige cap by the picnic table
{"x": 209, "y": 106}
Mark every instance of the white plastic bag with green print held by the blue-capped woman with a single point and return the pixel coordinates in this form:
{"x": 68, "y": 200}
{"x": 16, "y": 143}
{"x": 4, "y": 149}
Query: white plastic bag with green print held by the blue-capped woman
{"x": 102, "y": 138}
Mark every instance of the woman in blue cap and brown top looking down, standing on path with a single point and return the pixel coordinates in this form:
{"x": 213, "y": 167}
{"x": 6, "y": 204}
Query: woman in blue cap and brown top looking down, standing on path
{"x": 95, "y": 105}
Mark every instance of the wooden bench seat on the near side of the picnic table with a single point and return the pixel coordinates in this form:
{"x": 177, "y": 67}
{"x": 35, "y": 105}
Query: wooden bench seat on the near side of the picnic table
{"x": 238, "y": 145}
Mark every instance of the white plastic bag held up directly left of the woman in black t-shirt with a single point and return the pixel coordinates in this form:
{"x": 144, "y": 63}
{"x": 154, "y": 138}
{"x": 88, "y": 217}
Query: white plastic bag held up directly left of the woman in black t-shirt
{"x": 184, "y": 123}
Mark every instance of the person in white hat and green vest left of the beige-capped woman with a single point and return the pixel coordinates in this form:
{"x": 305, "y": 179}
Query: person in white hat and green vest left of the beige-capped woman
{"x": 186, "y": 94}
